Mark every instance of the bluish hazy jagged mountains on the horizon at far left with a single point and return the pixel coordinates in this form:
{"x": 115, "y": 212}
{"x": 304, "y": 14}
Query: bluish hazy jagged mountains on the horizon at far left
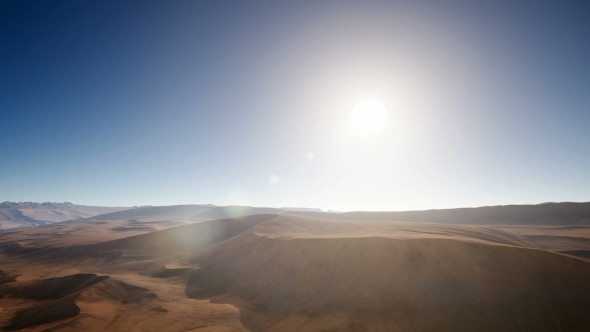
{"x": 26, "y": 214}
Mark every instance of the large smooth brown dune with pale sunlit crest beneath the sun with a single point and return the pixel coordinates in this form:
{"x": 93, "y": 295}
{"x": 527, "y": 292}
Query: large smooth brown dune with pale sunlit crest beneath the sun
{"x": 301, "y": 274}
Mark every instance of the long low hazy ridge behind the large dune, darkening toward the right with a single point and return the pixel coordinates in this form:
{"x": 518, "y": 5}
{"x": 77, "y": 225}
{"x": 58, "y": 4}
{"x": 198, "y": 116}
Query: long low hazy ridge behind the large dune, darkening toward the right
{"x": 541, "y": 214}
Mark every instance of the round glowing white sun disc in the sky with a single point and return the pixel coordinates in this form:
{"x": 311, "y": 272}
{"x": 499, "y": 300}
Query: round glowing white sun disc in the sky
{"x": 368, "y": 117}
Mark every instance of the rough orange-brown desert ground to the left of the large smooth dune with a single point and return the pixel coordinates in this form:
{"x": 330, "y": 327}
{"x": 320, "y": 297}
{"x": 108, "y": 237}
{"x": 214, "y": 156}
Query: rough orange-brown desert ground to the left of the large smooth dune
{"x": 157, "y": 270}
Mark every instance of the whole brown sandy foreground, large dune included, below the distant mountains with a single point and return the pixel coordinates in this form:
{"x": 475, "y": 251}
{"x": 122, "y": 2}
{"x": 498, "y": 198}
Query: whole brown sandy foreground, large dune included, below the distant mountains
{"x": 292, "y": 273}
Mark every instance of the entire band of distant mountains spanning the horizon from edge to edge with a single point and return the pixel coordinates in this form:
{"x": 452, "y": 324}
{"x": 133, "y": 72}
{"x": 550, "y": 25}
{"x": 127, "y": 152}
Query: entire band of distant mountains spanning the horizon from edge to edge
{"x": 28, "y": 214}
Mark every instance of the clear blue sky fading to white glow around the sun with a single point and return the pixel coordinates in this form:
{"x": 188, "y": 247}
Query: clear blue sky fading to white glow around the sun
{"x": 122, "y": 103}
